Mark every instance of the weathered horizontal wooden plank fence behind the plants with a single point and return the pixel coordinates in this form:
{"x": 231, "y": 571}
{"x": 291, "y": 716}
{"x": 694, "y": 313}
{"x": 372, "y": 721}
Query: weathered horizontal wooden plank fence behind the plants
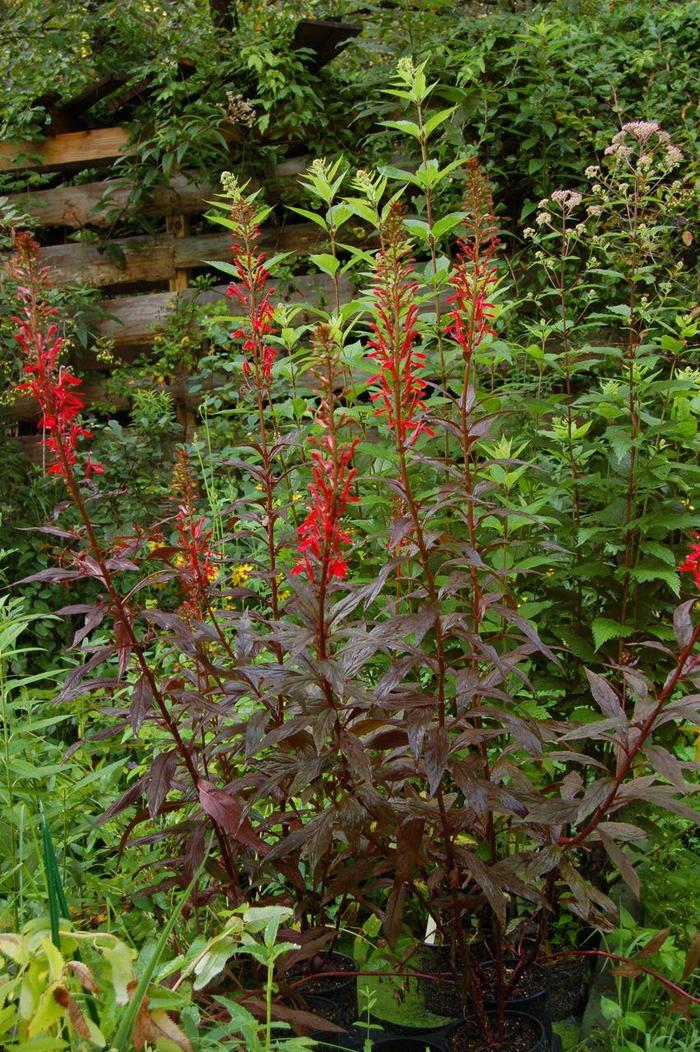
{"x": 142, "y": 276}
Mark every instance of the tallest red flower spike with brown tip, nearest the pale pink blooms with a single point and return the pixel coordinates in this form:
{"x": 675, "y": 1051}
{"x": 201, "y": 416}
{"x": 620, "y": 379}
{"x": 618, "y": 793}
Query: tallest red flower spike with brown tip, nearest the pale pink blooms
{"x": 474, "y": 275}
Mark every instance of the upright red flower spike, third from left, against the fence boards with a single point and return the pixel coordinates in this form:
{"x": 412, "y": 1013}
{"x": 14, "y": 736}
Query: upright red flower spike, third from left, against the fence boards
{"x": 252, "y": 292}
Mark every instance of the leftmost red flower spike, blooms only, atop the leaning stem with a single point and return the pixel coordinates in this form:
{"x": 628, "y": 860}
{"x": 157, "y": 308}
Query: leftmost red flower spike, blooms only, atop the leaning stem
{"x": 52, "y": 385}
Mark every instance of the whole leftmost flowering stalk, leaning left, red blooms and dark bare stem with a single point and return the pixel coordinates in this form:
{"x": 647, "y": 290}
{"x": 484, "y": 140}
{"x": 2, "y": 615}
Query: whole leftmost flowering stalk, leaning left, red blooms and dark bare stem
{"x": 65, "y": 432}
